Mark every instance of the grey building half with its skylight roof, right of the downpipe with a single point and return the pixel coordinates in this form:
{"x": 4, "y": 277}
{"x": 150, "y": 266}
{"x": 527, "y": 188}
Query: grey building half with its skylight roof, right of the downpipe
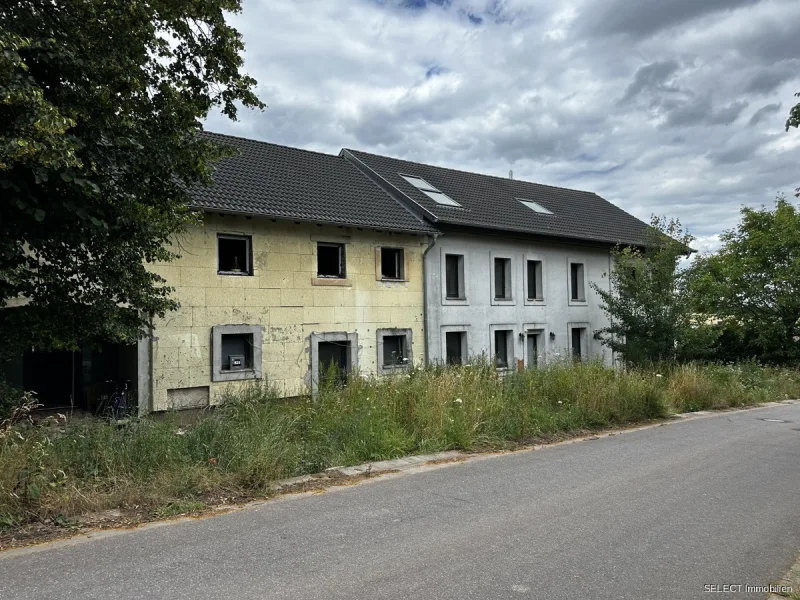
{"x": 511, "y": 275}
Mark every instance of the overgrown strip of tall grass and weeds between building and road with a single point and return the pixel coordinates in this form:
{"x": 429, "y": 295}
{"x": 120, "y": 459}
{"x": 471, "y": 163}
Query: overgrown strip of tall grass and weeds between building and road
{"x": 254, "y": 438}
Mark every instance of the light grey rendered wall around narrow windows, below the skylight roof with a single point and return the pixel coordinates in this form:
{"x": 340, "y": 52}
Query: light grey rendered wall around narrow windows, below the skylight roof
{"x": 480, "y": 314}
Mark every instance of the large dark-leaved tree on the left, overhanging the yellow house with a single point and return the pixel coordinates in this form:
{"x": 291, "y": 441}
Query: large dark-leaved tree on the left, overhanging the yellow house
{"x": 101, "y": 103}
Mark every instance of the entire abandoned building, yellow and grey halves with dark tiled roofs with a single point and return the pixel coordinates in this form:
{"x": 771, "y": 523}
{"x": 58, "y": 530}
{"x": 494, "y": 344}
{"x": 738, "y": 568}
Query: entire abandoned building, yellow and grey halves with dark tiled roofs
{"x": 309, "y": 266}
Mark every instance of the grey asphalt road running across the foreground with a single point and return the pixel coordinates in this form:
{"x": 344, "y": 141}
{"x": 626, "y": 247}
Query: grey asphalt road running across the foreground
{"x": 656, "y": 513}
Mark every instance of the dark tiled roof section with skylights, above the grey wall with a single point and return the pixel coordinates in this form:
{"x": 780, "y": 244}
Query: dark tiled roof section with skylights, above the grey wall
{"x": 492, "y": 202}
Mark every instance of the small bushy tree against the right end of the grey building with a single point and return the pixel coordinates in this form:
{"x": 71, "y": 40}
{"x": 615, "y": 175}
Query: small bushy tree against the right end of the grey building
{"x": 647, "y": 305}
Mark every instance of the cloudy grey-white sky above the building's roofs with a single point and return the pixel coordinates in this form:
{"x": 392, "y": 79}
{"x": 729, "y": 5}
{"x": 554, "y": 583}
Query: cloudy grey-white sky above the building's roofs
{"x": 673, "y": 107}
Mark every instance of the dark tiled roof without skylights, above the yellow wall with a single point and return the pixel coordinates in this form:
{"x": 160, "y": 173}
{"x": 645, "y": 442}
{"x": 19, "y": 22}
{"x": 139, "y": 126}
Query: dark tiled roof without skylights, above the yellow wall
{"x": 289, "y": 183}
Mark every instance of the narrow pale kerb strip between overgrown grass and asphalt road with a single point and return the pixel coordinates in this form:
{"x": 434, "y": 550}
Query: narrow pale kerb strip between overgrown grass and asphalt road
{"x": 371, "y": 472}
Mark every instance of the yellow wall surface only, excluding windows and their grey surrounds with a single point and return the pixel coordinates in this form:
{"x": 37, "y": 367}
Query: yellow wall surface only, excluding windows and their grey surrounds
{"x": 282, "y": 298}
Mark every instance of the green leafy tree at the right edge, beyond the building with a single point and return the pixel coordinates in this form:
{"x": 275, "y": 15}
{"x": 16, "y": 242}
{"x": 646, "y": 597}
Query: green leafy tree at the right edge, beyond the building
{"x": 752, "y": 285}
